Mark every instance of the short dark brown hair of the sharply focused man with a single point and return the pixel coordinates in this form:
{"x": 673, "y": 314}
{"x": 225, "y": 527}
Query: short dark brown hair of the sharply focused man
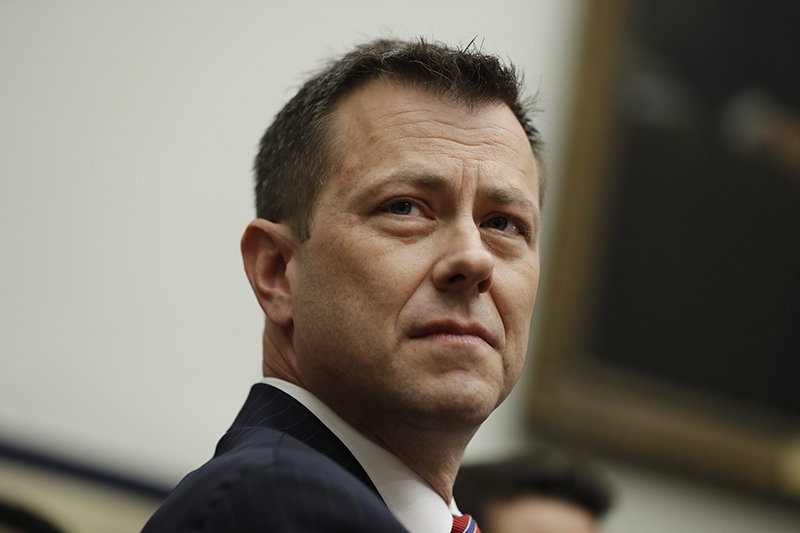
{"x": 295, "y": 157}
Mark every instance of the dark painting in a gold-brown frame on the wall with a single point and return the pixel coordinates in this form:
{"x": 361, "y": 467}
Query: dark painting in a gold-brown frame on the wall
{"x": 628, "y": 405}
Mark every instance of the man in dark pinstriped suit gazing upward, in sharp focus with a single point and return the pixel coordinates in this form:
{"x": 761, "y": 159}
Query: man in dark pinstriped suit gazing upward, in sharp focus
{"x": 395, "y": 255}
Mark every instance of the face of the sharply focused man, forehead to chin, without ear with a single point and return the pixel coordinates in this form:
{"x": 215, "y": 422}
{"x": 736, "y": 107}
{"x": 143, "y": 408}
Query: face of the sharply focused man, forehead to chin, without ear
{"x": 412, "y": 298}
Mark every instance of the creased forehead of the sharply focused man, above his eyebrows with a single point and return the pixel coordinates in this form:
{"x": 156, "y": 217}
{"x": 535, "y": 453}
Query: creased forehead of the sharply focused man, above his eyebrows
{"x": 387, "y": 124}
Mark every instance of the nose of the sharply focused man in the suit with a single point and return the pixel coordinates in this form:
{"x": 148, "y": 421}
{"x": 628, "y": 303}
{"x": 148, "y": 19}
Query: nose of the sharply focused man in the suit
{"x": 465, "y": 264}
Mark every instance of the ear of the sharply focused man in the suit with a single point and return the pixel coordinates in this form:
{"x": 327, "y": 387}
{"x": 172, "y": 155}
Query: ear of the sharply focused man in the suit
{"x": 267, "y": 249}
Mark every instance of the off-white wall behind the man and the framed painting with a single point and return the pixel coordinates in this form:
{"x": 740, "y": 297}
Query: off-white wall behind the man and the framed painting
{"x": 128, "y": 333}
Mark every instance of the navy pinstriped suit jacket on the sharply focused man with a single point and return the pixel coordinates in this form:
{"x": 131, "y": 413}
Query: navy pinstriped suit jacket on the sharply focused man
{"x": 278, "y": 469}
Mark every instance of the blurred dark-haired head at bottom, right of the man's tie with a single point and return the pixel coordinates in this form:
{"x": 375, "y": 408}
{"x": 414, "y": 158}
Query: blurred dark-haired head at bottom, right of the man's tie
{"x": 546, "y": 491}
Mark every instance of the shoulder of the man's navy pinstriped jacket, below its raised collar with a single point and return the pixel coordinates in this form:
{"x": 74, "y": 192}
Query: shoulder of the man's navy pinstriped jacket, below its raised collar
{"x": 269, "y": 481}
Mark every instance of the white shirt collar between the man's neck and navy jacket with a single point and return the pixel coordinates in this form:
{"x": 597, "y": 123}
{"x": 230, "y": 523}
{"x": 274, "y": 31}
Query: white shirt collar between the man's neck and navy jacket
{"x": 409, "y": 497}
